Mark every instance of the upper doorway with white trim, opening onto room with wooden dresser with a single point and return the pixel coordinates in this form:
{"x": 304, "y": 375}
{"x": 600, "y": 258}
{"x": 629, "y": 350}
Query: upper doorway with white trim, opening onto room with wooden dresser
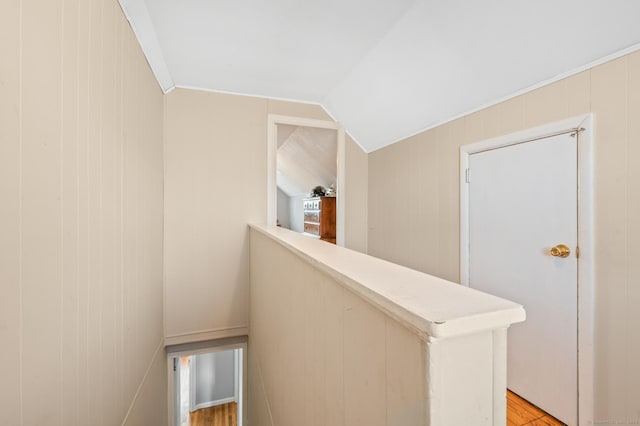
{"x": 305, "y": 182}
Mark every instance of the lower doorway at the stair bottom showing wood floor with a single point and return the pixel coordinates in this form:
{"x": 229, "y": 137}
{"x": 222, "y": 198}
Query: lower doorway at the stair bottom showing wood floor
{"x": 207, "y": 383}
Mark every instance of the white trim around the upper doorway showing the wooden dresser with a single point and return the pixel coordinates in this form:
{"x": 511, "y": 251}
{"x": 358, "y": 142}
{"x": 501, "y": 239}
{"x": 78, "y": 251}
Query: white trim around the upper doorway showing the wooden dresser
{"x": 272, "y": 151}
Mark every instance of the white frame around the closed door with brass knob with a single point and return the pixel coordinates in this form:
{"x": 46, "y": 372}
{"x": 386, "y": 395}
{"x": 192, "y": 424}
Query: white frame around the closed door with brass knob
{"x": 585, "y": 235}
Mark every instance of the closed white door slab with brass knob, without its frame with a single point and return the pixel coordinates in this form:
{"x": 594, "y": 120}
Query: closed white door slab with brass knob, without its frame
{"x": 522, "y": 203}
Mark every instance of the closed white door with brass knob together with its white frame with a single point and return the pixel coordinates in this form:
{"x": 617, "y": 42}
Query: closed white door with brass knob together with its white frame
{"x": 526, "y": 194}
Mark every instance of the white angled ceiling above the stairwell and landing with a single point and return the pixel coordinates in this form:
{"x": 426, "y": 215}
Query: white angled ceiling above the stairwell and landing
{"x": 385, "y": 69}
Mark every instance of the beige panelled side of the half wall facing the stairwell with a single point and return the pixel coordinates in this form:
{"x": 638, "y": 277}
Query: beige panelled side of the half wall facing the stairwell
{"x": 321, "y": 355}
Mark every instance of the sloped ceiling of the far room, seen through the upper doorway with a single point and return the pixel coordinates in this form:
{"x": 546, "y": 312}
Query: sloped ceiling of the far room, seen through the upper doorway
{"x": 306, "y": 158}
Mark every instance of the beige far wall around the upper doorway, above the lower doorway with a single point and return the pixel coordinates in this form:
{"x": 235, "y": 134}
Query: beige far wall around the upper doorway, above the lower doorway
{"x": 215, "y": 183}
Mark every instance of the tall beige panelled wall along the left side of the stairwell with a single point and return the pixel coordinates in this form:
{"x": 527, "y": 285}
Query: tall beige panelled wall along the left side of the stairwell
{"x": 80, "y": 216}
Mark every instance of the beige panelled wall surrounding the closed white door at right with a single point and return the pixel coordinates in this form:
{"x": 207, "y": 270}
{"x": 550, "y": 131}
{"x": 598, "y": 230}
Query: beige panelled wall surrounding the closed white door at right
{"x": 414, "y": 206}
